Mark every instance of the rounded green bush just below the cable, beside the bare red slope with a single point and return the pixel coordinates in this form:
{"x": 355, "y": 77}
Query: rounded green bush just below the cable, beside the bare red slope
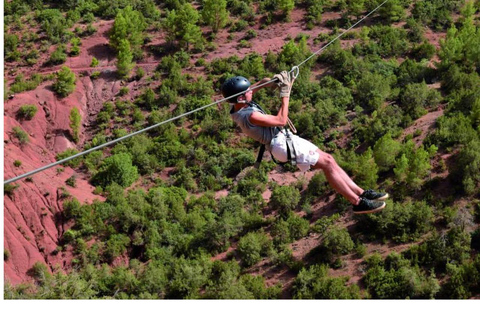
{"x": 116, "y": 169}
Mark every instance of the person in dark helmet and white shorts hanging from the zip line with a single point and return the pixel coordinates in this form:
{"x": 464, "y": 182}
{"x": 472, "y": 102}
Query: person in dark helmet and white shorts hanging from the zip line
{"x": 263, "y": 128}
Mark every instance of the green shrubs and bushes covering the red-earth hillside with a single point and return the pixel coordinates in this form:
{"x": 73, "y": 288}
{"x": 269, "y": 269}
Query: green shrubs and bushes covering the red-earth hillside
{"x": 162, "y": 234}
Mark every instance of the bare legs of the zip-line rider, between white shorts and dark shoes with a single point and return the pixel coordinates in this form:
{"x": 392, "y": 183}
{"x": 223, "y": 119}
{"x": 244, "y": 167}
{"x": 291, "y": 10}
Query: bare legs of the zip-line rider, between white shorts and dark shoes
{"x": 336, "y": 177}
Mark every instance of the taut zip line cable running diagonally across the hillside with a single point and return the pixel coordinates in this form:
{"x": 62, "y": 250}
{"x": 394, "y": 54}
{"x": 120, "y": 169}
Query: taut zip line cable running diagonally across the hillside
{"x": 295, "y": 71}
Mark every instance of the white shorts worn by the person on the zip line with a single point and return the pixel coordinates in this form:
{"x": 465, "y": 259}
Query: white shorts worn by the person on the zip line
{"x": 305, "y": 150}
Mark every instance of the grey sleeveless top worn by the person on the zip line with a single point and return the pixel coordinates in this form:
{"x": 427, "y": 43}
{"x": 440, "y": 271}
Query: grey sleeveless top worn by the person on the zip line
{"x": 242, "y": 118}
